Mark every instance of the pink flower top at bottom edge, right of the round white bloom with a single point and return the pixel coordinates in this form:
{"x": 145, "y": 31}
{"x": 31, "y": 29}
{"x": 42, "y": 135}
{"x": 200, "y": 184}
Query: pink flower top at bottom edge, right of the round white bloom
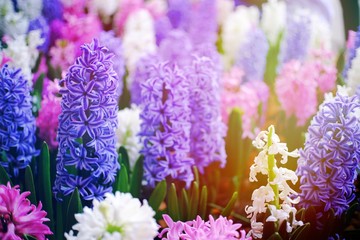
{"x": 220, "y": 229}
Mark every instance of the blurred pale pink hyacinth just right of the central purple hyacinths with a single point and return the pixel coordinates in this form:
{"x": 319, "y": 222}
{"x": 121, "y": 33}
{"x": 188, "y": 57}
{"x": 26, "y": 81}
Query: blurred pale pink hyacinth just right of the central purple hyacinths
{"x": 246, "y": 96}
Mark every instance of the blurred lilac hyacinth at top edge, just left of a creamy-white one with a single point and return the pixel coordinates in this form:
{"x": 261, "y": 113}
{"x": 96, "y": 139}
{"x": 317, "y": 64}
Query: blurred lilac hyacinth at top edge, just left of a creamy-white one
{"x": 203, "y": 25}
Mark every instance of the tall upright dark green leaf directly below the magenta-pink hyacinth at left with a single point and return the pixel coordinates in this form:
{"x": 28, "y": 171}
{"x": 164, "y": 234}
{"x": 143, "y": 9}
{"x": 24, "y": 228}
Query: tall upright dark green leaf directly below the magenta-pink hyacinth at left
{"x": 45, "y": 184}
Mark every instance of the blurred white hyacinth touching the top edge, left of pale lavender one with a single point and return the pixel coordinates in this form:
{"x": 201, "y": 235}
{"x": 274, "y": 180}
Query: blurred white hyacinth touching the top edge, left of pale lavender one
{"x": 273, "y": 19}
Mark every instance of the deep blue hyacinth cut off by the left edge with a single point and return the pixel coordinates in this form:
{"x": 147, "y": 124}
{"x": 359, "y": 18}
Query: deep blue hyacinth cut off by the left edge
{"x": 17, "y": 124}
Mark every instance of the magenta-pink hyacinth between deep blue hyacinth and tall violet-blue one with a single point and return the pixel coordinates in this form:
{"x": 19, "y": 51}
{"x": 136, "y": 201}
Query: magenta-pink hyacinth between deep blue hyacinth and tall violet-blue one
{"x": 48, "y": 119}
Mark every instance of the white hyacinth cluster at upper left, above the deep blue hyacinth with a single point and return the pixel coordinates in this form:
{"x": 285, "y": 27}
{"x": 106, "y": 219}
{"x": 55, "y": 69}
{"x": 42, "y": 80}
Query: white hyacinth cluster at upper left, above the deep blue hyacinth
{"x": 23, "y": 52}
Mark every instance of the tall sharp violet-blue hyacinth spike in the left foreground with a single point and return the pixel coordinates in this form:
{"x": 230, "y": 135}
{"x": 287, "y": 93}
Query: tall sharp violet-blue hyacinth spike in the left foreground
{"x": 87, "y": 158}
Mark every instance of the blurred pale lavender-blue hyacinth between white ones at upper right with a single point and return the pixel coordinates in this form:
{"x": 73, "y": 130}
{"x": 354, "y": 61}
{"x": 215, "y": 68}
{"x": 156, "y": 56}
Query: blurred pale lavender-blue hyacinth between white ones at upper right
{"x": 297, "y": 39}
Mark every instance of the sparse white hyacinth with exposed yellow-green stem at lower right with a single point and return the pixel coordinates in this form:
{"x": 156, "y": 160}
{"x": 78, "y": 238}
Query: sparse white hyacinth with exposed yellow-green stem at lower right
{"x": 277, "y": 195}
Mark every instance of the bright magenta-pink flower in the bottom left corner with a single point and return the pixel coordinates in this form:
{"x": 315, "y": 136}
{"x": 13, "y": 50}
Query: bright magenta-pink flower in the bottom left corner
{"x": 19, "y": 217}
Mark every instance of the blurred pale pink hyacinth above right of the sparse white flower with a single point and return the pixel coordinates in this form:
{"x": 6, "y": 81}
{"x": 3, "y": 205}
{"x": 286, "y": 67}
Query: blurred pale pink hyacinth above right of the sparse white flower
{"x": 296, "y": 90}
